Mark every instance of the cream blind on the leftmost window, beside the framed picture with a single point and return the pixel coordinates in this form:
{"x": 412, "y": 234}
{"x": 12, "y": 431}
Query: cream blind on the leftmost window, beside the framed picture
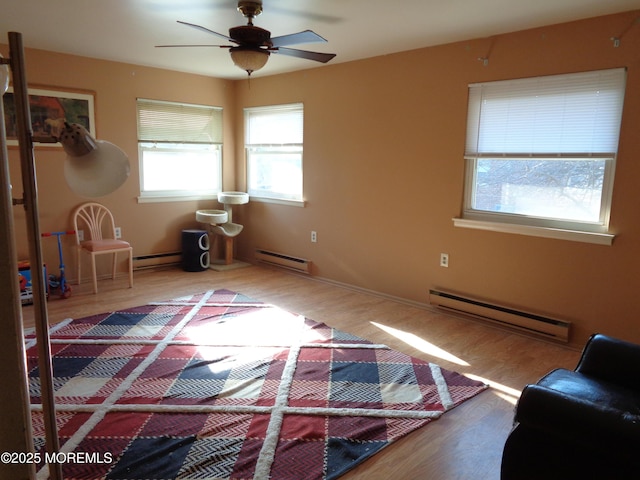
{"x": 160, "y": 121}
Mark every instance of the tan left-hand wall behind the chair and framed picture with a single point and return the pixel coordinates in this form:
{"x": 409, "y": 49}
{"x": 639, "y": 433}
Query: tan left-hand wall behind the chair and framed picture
{"x": 150, "y": 227}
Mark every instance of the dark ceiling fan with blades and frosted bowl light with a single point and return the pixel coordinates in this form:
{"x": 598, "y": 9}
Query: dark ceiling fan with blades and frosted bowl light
{"x": 253, "y": 45}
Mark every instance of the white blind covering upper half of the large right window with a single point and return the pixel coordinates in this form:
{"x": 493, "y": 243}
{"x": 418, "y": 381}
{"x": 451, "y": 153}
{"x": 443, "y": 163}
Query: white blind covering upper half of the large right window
{"x": 574, "y": 114}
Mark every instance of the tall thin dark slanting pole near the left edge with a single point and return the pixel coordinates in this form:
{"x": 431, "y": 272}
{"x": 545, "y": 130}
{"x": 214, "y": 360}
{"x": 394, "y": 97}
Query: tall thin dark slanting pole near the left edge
{"x": 27, "y": 162}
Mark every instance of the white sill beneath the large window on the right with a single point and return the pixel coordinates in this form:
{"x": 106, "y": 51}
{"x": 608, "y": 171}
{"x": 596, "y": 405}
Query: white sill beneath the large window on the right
{"x": 556, "y": 233}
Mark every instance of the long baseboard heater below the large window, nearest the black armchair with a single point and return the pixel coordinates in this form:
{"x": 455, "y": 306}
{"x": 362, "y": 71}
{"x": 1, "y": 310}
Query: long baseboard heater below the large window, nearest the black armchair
{"x": 525, "y": 321}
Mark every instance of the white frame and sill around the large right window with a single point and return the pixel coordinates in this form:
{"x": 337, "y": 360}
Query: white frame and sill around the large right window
{"x": 543, "y": 226}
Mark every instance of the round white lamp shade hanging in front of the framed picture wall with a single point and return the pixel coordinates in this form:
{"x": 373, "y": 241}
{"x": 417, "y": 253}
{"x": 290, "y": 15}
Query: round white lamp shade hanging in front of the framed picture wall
{"x": 98, "y": 173}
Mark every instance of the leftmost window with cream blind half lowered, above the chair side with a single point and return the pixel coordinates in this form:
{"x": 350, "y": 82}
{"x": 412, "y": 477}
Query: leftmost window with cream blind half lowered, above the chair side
{"x": 180, "y": 148}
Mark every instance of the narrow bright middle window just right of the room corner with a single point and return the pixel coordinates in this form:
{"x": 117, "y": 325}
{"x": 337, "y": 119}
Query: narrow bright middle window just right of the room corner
{"x": 274, "y": 151}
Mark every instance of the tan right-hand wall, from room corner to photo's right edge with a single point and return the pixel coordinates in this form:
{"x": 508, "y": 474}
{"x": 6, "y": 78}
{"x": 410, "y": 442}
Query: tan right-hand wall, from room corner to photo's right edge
{"x": 383, "y": 177}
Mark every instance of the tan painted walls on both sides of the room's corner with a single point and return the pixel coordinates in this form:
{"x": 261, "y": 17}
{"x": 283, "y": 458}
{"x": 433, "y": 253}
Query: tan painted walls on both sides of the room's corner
{"x": 383, "y": 169}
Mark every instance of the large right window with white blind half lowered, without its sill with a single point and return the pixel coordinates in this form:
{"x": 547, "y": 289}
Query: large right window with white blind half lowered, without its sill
{"x": 540, "y": 152}
